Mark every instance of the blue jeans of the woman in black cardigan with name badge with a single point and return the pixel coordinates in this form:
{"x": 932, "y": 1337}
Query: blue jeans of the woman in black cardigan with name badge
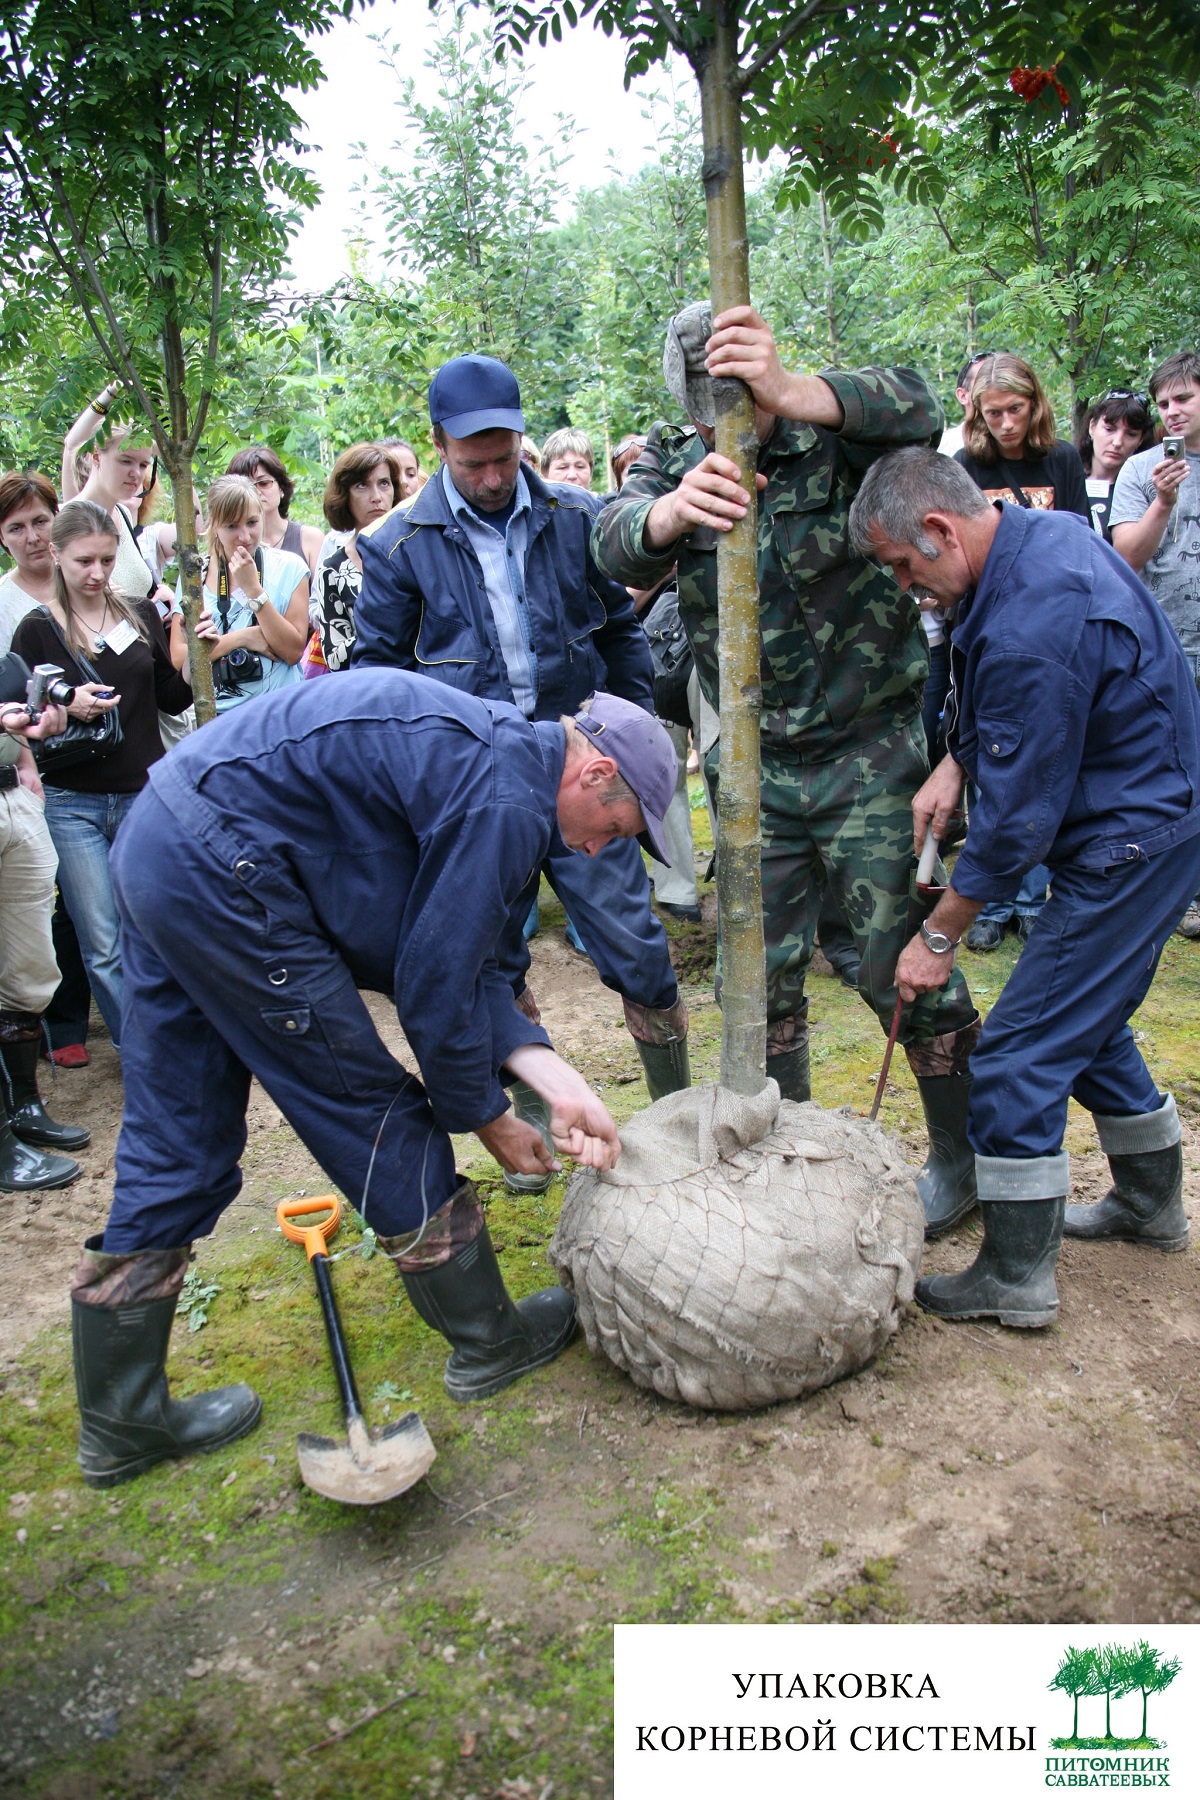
{"x": 84, "y": 827}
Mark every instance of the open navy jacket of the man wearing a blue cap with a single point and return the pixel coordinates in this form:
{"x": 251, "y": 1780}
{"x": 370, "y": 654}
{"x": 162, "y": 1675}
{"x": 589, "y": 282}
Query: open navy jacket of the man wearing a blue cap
{"x": 425, "y": 607}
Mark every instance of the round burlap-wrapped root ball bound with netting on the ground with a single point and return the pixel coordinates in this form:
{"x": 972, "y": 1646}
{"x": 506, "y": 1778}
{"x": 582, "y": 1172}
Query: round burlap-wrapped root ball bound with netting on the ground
{"x": 744, "y": 1250}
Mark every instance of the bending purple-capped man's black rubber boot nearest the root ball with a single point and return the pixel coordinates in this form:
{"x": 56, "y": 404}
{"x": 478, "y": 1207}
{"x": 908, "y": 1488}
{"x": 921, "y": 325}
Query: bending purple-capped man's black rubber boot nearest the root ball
{"x": 494, "y": 1340}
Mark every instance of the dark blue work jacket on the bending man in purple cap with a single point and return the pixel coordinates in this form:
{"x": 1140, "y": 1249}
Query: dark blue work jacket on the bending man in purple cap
{"x": 400, "y": 822}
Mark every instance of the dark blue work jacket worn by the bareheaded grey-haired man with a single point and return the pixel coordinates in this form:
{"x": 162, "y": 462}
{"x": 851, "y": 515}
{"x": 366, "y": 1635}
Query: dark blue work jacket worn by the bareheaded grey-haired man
{"x": 1077, "y": 712}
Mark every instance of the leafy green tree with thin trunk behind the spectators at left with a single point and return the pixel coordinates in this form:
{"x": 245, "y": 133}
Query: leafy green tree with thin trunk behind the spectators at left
{"x": 150, "y": 183}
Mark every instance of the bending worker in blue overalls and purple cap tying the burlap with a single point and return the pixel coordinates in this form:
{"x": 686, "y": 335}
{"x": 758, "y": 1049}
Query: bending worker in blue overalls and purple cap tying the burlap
{"x": 372, "y": 832}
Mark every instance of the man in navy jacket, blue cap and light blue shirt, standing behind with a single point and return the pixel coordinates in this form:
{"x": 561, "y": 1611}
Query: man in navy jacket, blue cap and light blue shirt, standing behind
{"x": 485, "y": 580}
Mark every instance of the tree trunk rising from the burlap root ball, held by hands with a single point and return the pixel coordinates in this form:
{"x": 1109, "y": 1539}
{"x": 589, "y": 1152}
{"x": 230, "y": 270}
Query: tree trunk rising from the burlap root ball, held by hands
{"x": 739, "y": 872}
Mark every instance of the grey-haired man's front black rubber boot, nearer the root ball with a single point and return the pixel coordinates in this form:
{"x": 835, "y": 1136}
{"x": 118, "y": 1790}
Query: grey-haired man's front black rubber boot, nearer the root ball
{"x": 1014, "y": 1277}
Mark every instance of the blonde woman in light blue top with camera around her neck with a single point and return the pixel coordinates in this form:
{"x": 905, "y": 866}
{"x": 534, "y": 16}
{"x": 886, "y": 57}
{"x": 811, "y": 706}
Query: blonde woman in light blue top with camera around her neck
{"x": 256, "y": 600}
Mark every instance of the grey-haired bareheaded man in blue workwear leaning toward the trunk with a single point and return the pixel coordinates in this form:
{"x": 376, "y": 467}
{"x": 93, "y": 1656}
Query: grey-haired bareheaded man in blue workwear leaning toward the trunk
{"x": 1079, "y": 719}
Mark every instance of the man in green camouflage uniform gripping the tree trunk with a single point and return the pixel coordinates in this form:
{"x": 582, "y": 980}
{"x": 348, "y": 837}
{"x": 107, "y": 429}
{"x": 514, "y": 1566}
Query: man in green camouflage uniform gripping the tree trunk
{"x": 843, "y": 667}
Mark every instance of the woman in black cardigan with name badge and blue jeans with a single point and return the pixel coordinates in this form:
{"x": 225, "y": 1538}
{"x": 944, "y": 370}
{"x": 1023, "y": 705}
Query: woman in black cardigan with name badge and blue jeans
{"x": 114, "y": 654}
